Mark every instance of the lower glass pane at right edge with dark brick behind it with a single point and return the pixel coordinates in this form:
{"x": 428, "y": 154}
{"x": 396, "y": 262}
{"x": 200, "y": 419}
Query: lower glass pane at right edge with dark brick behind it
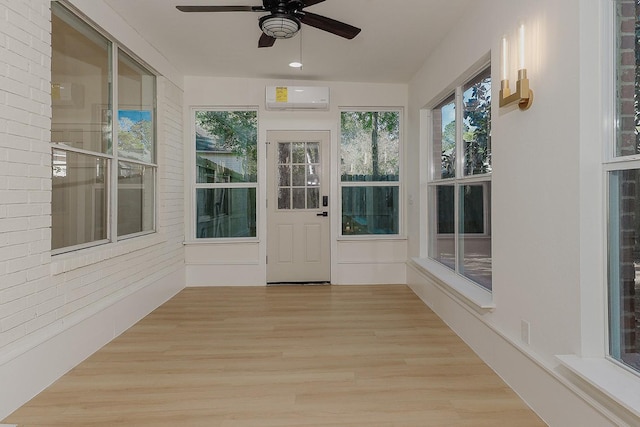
{"x": 624, "y": 267}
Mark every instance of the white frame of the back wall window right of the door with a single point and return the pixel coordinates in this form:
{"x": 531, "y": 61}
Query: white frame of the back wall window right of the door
{"x": 373, "y": 184}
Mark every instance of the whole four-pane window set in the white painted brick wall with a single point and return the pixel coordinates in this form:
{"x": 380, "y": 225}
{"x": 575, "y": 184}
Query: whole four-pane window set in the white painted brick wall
{"x": 92, "y": 184}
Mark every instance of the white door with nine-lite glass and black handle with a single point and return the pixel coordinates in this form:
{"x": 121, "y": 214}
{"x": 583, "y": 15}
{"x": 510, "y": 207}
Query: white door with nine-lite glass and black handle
{"x": 298, "y": 249}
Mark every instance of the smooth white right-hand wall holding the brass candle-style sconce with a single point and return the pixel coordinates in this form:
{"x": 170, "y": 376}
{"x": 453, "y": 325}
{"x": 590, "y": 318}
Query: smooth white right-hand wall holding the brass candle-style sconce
{"x": 547, "y": 203}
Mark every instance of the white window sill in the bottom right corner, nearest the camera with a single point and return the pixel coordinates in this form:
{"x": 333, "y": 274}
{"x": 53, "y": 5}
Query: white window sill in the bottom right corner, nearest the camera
{"x": 603, "y": 377}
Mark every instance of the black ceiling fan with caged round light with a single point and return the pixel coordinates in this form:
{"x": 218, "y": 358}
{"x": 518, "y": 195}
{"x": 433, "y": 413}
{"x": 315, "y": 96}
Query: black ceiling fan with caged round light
{"x": 284, "y": 19}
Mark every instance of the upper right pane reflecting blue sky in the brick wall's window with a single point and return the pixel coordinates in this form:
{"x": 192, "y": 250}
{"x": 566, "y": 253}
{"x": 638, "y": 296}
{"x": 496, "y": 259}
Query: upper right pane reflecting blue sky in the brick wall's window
{"x": 136, "y": 110}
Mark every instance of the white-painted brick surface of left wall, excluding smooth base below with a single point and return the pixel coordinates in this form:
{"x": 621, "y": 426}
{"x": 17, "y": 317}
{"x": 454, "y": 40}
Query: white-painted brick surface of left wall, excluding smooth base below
{"x": 41, "y": 294}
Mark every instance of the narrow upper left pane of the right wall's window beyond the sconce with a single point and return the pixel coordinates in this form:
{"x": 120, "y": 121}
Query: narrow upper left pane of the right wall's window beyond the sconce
{"x": 444, "y": 140}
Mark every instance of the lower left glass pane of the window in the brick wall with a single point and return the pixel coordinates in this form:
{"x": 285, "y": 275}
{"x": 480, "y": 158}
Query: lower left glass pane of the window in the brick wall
{"x": 79, "y": 199}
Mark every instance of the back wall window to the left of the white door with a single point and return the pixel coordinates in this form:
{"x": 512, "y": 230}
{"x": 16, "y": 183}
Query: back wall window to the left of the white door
{"x": 226, "y": 173}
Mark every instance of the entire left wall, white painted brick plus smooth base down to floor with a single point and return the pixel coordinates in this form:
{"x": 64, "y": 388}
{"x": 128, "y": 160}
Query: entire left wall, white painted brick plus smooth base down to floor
{"x": 57, "y": 310}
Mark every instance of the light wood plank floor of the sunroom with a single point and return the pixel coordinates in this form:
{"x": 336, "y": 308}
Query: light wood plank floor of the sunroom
{"x": 285, "y": 356}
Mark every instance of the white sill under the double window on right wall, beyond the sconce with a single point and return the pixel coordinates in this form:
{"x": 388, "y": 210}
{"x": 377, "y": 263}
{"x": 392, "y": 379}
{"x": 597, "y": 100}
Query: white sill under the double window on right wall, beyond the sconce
{"x": 473, "y": 295}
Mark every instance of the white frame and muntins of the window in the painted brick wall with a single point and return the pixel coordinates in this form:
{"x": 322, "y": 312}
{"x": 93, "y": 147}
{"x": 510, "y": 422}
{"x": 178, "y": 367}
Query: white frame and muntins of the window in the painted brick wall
{"x": 111, "y": 155}
